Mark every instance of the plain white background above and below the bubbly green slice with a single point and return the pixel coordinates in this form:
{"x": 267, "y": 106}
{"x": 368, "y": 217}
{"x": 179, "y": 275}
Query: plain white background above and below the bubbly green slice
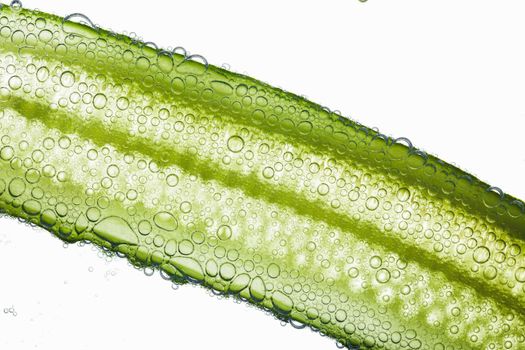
{"x": 448, "y": 74}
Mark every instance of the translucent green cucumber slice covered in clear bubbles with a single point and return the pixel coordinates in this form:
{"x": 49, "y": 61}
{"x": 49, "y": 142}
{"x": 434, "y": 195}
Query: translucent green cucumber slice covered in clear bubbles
{"x": 219, "y": 179}
